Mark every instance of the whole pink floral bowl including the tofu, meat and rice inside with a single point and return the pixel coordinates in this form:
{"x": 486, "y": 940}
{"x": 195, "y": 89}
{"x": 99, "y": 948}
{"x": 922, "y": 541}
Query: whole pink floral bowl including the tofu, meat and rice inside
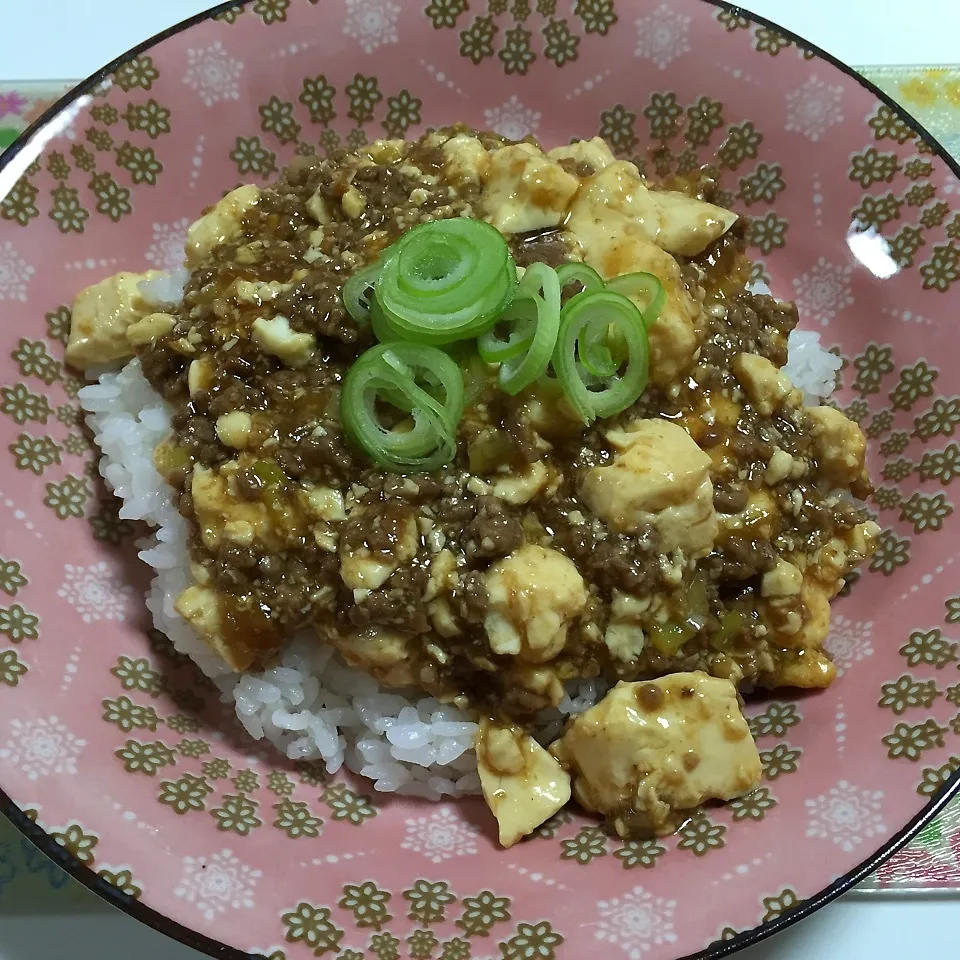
{"x": 133, "y": 771}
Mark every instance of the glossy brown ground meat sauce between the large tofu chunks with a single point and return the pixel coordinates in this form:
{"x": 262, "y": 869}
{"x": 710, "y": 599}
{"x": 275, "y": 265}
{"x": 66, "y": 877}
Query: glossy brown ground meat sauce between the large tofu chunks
{"x": 309, "y": 233}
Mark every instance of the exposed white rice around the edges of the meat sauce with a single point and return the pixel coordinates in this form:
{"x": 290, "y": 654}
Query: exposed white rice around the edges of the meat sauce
{"x": 311, "y": 705}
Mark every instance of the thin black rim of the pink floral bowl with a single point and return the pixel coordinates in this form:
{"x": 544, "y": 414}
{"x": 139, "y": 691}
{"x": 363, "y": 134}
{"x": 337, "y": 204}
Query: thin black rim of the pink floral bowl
{"x": 720, "y": 948}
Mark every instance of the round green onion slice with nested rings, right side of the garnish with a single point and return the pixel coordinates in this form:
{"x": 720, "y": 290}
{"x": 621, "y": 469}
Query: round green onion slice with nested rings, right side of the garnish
{"x": 593, "y": 327}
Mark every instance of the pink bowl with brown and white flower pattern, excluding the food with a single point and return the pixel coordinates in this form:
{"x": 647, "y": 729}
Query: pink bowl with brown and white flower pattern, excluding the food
{"x": 116, "y": 759}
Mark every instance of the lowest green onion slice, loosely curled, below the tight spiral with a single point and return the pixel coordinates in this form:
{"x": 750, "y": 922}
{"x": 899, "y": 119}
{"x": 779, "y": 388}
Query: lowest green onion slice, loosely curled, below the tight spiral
{"x": 393, "y": 373}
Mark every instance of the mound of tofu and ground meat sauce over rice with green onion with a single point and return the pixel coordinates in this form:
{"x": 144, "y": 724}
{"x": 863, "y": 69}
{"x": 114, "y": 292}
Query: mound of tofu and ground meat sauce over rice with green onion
{"x": 715, "y": 578}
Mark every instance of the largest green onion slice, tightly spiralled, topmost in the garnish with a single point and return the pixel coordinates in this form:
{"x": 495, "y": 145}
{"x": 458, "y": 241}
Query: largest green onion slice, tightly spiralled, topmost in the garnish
{"x": 446, "y": 280}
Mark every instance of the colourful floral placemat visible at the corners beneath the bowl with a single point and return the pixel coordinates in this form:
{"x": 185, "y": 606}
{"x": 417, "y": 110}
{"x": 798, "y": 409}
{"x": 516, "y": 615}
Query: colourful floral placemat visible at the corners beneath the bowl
{"x": 30, "y": 883}
